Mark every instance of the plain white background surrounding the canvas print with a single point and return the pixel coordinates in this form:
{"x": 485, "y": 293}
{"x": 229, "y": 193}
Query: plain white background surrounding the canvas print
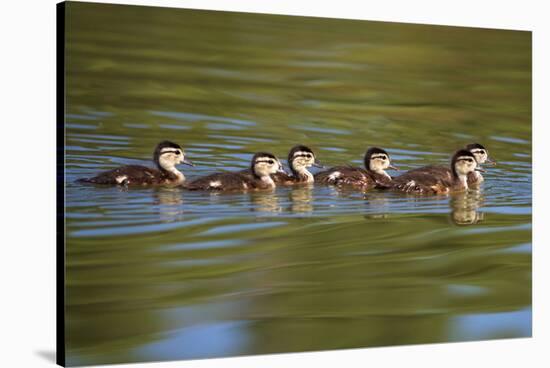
{"x": 27, "y": 181}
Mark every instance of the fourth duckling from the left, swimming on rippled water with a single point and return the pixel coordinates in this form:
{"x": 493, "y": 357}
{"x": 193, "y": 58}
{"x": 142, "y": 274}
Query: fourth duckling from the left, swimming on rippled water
{"x": 376, "y": 161}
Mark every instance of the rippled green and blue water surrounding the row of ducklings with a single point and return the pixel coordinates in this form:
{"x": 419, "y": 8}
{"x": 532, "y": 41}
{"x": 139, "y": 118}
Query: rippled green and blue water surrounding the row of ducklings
{"x": 158, "y": 274}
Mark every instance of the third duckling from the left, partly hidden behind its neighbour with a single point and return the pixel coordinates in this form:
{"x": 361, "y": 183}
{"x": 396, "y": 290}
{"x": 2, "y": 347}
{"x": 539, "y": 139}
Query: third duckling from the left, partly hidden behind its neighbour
{"x": 300, "y": 158}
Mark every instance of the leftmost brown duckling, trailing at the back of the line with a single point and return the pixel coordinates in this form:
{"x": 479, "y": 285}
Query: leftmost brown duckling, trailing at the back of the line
{"x": 166, "y": 156}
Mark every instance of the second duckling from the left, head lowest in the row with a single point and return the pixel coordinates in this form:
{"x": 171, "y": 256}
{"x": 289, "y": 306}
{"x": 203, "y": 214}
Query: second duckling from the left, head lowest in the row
{"x": 262, "y": 166}
